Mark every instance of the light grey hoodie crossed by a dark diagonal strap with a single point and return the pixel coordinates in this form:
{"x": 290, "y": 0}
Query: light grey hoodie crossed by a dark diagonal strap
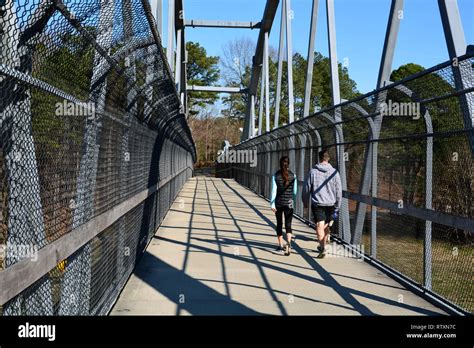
{"x": 324, "y": 184}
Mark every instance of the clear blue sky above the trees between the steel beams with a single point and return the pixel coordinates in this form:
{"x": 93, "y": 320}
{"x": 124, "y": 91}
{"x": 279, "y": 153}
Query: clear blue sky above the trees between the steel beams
{"x": 360, "y": 31}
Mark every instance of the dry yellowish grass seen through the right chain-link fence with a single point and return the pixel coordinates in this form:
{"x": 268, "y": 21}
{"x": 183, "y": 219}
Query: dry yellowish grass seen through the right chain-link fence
{"x": 452, "y": 263}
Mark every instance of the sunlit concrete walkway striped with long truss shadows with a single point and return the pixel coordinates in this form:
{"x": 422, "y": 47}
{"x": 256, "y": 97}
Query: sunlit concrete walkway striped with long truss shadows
{"x": 214, "y": 254}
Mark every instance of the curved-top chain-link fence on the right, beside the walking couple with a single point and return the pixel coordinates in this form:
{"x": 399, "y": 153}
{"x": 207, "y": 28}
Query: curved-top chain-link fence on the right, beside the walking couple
{"x": 406, "y": 163}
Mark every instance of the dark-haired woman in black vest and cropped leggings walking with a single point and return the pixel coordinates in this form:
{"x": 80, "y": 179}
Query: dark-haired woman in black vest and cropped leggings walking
{"x": 284, "y": 188}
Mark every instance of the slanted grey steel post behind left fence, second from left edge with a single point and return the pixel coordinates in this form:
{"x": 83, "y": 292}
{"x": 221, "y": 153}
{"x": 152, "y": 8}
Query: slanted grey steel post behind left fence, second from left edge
{"x": 76, "y": 283}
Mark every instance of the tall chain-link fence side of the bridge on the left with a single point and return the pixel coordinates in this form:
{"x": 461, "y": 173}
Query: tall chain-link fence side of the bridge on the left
{"x": 94, "y": 149}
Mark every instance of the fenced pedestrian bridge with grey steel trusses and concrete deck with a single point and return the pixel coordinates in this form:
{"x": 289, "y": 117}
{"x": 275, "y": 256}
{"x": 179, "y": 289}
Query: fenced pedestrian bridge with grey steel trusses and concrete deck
{"x": 102, "y": 213}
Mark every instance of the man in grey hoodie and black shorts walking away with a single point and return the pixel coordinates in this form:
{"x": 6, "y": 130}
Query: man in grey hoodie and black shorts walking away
{"x": 323, "y": 183}
